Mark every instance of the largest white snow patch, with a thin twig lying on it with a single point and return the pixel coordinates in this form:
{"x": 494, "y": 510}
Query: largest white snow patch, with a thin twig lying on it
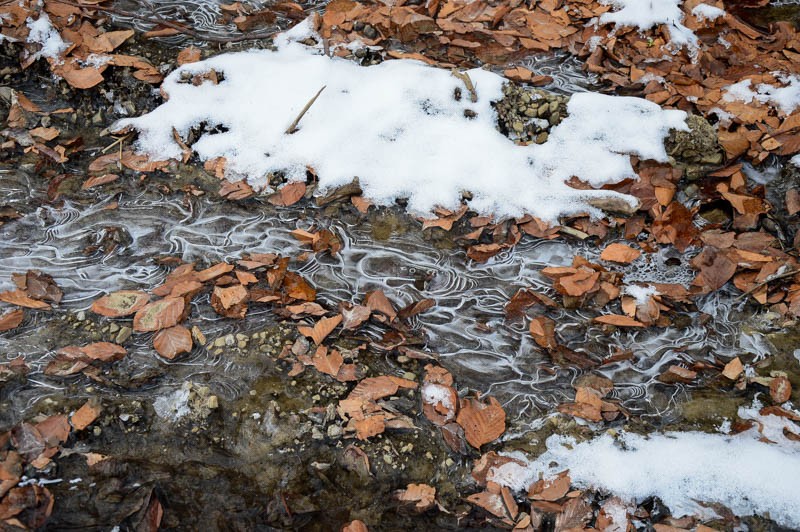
{"x": 398, "y": 128}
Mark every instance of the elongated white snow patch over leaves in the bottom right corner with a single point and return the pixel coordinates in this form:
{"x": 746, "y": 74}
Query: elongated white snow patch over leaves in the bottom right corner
{"x": 682, "y": 468}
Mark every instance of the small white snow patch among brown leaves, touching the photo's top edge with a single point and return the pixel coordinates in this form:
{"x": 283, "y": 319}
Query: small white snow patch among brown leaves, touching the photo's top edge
{"x": 645, "y": 14}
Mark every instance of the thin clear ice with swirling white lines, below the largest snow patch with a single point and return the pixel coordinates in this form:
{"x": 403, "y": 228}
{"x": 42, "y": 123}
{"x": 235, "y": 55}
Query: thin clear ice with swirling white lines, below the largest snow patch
{"x": 467, "y": 327}
